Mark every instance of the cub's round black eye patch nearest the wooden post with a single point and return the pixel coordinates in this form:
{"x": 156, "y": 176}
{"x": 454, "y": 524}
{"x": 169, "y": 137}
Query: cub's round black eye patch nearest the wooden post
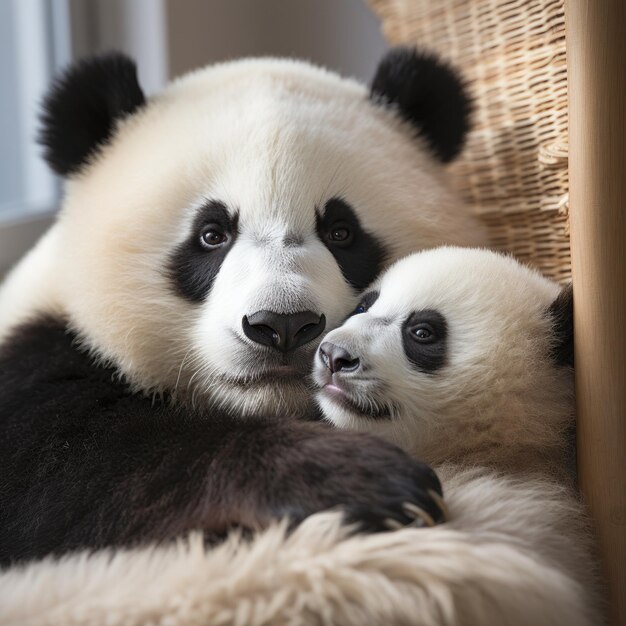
{"x": 424, "y": 339}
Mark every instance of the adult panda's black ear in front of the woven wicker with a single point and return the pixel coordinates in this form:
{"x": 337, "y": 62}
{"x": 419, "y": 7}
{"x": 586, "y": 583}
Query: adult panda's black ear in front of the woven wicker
{"x": 428, "y": 94}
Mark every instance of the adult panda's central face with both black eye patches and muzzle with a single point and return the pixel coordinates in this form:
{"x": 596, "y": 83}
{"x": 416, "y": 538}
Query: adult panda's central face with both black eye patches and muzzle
{"x": 264, "y": 291}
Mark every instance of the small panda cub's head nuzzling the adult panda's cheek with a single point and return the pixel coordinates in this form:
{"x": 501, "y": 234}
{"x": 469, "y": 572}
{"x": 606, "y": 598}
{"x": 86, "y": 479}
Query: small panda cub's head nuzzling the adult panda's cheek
{"x": 450, "y": 350}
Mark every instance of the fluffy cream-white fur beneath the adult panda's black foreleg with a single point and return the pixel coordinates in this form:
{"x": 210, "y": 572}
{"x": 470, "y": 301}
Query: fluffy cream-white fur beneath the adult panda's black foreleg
{"x": 318, "y": 575}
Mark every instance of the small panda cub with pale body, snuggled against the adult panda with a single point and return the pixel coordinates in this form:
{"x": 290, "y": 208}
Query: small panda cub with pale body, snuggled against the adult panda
{"x": 464, "y": 358}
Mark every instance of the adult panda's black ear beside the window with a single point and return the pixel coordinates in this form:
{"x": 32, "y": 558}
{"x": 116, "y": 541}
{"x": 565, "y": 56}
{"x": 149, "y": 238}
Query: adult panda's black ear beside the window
{"x": 82, "y": 107}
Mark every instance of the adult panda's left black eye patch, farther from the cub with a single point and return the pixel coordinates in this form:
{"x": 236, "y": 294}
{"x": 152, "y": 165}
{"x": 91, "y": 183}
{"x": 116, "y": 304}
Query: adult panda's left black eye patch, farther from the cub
{"x": 196, "y": 262}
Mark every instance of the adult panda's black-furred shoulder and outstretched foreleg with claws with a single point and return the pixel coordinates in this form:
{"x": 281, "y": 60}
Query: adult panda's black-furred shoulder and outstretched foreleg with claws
{"x": 86, "y": 463}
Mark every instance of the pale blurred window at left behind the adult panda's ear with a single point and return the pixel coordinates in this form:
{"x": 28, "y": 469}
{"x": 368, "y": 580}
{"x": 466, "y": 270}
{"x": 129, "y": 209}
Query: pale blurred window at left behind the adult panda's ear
{"x": 34, "y": 42}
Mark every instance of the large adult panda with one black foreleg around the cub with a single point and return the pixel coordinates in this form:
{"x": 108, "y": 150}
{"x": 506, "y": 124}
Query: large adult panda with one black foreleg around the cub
{"x": 208, "y": 236}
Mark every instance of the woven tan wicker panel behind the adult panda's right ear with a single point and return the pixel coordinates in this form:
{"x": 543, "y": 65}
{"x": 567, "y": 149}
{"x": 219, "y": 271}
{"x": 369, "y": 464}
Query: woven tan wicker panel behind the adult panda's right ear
{"x": 514, "y": 168}
